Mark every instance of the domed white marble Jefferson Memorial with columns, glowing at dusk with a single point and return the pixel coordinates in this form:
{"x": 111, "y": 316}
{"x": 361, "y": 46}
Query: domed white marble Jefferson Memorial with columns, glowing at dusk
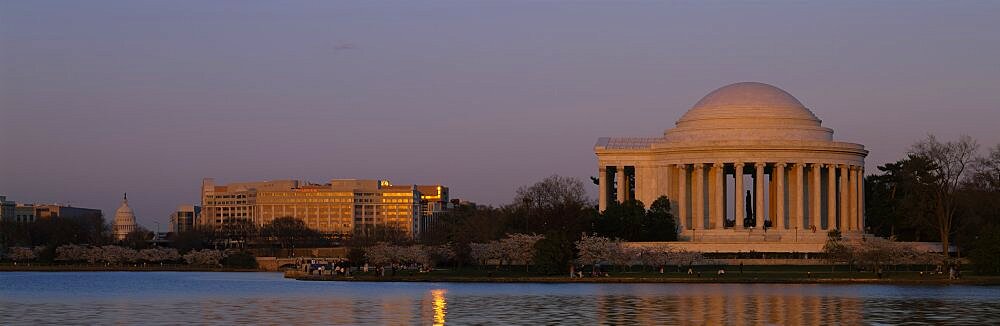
{"x": 747, "y": 168}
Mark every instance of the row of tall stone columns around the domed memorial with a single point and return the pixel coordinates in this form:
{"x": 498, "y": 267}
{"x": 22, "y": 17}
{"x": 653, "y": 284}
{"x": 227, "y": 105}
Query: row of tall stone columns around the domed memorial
{"x": 798, "y": 195}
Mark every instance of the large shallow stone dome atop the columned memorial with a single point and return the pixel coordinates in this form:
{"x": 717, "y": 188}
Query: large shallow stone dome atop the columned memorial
{"x": 749, "y": 111}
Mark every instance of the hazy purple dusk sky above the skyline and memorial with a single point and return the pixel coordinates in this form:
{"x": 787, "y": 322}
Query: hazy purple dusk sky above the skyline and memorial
{"x": 148, "y": 97}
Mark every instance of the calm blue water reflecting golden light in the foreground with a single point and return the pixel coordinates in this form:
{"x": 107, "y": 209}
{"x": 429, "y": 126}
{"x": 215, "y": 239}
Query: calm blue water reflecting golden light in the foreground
{"x": 152, "y": 298}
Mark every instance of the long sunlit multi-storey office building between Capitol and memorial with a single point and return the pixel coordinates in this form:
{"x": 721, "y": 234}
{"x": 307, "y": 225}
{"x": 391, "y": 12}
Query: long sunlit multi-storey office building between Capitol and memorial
{"x": 339, "y": 208}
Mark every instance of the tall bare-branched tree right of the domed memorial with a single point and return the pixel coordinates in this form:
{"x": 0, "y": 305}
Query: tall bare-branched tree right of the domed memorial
{"x": 951, "y": 160}
